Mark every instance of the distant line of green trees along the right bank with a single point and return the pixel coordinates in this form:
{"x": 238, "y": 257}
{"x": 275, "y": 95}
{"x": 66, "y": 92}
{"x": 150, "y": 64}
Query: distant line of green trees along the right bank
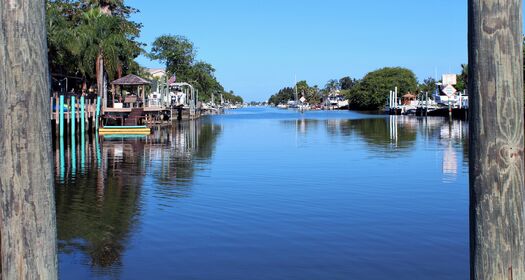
{"x": 370, "y": 92}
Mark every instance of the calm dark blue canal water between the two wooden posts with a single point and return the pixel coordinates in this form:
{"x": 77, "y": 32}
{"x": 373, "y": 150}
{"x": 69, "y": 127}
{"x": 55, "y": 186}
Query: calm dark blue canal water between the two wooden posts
{"x": 262, "y": 193}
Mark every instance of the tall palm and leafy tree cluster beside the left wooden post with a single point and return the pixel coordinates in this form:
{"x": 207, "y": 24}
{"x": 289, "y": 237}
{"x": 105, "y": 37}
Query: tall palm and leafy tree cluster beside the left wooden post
{"x": 86, "y": 38}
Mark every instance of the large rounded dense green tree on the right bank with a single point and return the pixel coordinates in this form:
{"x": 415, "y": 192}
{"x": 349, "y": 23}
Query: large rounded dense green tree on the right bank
{"x": 372, "y": 91}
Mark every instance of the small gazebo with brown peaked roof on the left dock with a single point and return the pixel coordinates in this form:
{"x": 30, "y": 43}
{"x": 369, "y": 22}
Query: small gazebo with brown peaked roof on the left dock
{"x": 134, "y": 82}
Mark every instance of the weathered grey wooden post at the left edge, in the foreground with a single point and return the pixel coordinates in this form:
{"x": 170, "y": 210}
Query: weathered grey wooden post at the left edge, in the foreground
{"x": 27, "y": 205}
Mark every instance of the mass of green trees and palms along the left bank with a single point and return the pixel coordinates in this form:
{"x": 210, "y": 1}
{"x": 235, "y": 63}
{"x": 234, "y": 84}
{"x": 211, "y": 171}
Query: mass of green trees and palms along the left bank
{"x": 92, "y": 42}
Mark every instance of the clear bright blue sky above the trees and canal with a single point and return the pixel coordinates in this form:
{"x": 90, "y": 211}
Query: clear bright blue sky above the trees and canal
{"x": 257, "y": 47}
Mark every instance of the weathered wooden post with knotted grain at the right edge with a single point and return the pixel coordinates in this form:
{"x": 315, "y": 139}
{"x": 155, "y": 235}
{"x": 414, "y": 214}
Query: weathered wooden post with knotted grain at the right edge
{"x": 496, "y": 139}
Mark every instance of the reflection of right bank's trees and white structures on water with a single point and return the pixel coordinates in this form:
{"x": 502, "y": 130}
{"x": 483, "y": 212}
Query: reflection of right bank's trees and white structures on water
{"x": 393, "y": 136}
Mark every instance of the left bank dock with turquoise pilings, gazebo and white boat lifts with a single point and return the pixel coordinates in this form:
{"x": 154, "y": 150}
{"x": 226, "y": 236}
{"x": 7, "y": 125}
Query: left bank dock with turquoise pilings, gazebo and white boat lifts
{"x": 72, "y": 114}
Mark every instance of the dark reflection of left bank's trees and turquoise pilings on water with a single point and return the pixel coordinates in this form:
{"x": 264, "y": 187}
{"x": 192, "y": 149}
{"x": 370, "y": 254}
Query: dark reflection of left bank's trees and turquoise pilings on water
{"x": 99, "y": 185}
